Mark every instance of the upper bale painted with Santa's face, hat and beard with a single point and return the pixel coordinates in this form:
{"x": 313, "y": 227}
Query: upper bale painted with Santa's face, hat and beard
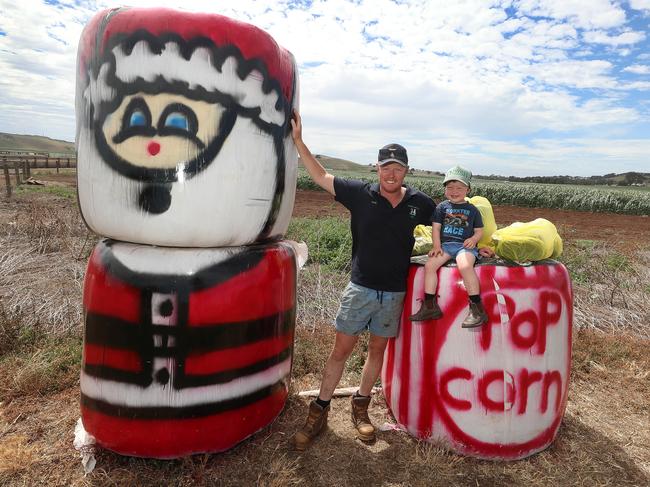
{"x": 183, "y": 132}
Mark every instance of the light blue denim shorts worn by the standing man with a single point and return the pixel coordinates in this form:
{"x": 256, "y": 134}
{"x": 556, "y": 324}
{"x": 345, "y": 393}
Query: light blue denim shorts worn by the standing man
{"x": 363, "y": 308}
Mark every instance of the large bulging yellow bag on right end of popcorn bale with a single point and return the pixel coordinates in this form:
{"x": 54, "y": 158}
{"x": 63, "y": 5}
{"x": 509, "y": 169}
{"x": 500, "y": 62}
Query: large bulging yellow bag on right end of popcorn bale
{"x": 529, "y": 241}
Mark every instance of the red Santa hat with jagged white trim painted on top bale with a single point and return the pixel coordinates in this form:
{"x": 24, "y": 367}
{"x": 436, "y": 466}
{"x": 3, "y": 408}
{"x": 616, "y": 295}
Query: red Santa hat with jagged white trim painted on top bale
{"x": 204, "y": 53}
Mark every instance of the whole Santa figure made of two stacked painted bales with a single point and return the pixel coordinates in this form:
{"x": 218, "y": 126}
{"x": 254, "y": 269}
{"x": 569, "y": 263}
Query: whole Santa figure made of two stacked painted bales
{"x": 185, "y": 152}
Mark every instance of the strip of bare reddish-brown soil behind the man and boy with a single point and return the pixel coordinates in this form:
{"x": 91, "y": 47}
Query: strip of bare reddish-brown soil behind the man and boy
{"x": 626, "y": 230}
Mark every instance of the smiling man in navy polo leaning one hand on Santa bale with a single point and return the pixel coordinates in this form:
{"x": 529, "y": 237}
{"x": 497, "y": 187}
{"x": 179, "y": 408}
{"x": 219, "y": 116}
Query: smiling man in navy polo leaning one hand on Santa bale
{"x": 383, "y": 216}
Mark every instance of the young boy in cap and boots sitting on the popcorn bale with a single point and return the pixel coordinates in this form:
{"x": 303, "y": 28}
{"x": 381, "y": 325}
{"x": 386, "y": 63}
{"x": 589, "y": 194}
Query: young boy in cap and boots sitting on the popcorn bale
{"x": 457, "y": 229}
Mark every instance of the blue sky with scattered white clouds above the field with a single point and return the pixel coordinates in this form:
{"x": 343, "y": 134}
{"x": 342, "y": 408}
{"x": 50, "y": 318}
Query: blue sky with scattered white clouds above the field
{"x": 511, "y": 87}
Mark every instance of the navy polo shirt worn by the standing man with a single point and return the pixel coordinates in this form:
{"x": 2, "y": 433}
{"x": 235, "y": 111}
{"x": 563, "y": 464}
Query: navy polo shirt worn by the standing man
{"x": 382, "y": 236}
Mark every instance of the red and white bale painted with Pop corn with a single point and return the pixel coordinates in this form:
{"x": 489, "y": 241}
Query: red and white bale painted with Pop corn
{"x": 496, "y": 392}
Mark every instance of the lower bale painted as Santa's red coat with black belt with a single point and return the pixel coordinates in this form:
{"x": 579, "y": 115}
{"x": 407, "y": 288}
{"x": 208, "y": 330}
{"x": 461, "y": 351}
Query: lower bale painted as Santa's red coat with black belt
{"x": 185, "y": 350}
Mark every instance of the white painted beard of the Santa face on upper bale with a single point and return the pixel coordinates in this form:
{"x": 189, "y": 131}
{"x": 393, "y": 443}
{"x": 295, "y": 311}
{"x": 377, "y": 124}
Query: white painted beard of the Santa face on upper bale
{"x": 226, "y": 204}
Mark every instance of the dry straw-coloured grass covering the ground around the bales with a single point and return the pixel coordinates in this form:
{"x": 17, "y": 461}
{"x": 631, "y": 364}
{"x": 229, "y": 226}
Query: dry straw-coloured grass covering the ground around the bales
{"x": 604, "y": 439}
